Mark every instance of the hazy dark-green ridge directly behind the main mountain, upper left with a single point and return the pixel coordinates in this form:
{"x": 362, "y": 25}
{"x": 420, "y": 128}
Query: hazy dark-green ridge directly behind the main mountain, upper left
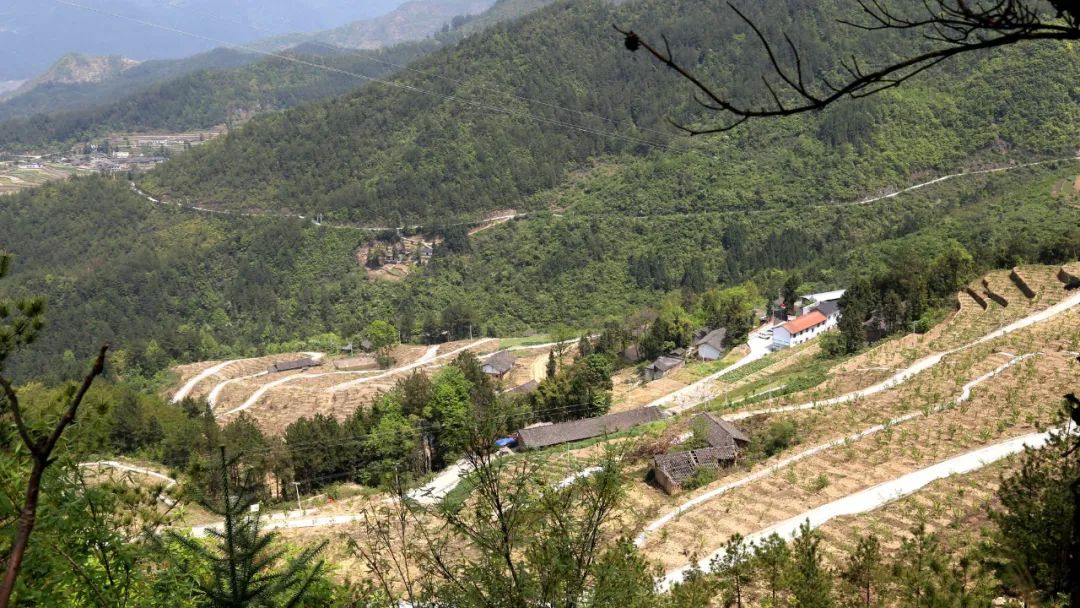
{"x": 213, "y": 88}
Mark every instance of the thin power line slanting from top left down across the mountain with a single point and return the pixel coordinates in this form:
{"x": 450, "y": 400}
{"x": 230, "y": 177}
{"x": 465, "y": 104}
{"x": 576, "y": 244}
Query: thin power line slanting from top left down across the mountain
{"x": 410, "y": 88}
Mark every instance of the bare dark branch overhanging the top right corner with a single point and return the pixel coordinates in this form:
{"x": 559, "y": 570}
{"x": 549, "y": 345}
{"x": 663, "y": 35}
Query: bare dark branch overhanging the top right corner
{"x": 956, "y": 26}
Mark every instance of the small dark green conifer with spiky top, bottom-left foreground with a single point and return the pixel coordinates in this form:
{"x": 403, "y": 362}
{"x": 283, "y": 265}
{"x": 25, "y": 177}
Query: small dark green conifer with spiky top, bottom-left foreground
{"x": 245, "y": 571}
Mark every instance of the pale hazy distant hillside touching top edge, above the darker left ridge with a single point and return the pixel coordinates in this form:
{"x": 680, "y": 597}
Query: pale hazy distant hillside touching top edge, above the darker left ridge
{"x": 413, "y": 21}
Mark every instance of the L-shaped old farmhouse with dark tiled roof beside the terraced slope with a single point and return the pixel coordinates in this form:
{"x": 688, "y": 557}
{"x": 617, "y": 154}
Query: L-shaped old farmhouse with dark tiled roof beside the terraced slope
{"x": 726, "y": 442}
